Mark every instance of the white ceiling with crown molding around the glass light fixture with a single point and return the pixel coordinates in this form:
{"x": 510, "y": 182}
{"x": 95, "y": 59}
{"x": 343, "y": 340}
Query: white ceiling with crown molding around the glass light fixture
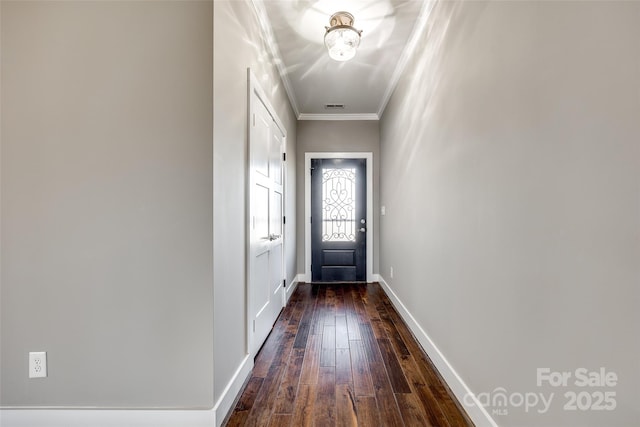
{"x": 295, "y": 30}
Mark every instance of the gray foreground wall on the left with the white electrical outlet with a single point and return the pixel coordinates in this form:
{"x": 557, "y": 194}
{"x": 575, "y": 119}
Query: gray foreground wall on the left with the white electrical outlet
{"x": 107, "y": 203}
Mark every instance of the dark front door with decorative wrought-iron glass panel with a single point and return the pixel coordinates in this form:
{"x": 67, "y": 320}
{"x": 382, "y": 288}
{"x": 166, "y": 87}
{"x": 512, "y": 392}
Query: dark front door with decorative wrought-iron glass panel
{"x": 338, "y": 220}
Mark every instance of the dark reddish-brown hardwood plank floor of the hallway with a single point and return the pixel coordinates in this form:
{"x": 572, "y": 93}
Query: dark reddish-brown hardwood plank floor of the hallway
{"x": 340, "y": 355}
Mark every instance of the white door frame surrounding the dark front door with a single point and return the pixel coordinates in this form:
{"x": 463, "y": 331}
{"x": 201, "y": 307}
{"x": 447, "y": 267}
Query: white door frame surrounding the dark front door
{"x": 368, "y": 156}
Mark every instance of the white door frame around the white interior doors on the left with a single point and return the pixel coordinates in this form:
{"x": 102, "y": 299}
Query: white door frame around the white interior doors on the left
{"x": 255, "y": 90}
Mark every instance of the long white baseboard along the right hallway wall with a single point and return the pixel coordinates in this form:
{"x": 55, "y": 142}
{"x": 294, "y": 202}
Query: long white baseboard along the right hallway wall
{"x": 476, "y": 412}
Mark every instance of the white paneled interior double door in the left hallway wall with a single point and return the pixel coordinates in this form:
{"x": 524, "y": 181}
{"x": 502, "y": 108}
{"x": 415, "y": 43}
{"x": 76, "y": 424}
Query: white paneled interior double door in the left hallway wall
{"x": 266, "y": 290}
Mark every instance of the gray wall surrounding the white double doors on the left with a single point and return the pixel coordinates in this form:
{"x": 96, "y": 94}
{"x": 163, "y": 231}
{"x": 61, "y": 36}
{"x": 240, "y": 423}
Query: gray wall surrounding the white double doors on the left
{"x": 236, "y": 21}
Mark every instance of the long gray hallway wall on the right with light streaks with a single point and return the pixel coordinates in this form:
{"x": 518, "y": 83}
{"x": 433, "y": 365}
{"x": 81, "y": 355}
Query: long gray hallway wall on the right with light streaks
{"x": 511, "y": 178}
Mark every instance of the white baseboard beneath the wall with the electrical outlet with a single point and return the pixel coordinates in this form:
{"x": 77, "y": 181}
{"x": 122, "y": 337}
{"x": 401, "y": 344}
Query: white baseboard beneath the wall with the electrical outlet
{"x": 106, "y": 418}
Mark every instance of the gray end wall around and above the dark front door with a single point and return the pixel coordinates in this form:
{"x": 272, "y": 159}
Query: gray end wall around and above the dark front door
{"x": 338, "y": 136}
